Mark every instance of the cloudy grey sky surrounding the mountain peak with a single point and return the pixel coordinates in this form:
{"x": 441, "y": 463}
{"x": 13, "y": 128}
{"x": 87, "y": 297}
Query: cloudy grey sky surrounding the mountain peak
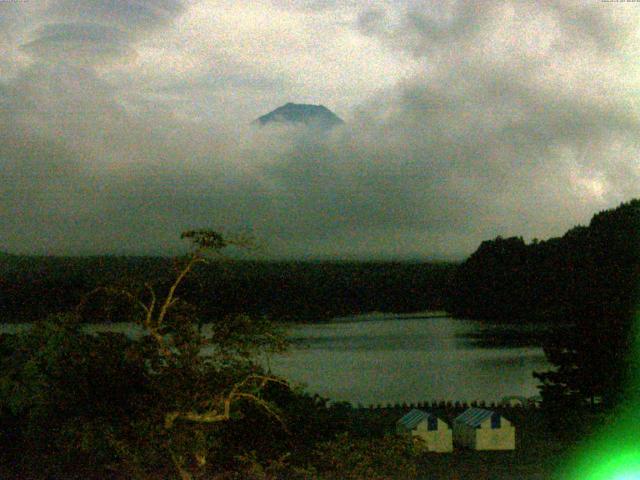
{"x": 126, "y": 122}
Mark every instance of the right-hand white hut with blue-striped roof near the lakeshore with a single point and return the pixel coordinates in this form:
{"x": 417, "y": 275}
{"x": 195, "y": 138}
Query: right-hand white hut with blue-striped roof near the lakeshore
{"x": 481, "y": 429}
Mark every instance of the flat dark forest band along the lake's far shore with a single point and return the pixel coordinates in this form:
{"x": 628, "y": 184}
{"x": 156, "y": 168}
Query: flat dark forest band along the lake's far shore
{"x": 33, "y": 287}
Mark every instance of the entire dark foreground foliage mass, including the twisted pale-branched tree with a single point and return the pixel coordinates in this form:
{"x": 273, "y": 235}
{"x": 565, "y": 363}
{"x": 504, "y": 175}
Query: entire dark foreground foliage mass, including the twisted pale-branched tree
{"x": 173, "y": 403}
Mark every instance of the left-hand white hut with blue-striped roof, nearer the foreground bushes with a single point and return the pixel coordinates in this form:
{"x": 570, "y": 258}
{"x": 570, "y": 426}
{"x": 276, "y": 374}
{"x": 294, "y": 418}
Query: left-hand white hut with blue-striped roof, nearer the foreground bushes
{"x": 435, "y": 433}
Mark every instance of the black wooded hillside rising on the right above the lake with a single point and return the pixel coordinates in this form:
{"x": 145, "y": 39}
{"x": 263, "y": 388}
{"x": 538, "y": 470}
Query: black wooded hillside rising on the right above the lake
{"x": 592, "y": 270}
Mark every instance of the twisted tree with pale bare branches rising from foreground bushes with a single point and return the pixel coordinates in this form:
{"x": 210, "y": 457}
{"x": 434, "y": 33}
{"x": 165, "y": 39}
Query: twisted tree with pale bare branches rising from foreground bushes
{"x": 156, "y": 311}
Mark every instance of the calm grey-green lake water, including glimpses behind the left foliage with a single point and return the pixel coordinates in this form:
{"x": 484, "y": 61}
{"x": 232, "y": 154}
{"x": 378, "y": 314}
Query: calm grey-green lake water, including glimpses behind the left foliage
{"x": 386, "y": 358}
